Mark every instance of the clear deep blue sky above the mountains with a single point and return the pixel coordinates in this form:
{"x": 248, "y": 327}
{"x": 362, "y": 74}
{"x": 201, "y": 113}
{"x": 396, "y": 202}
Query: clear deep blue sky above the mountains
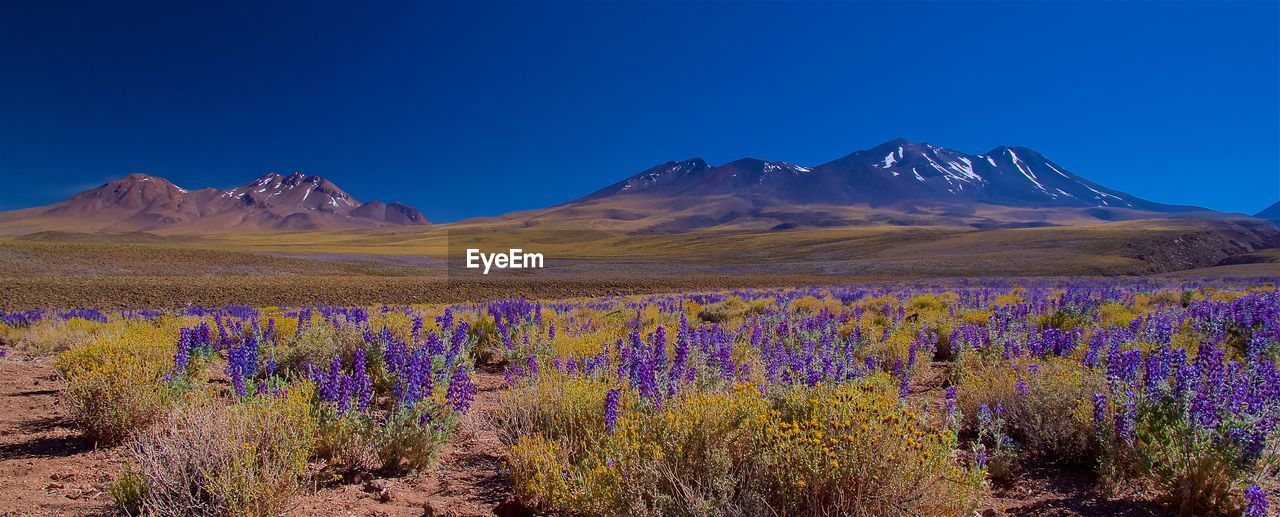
{"x": 479, "y": 109}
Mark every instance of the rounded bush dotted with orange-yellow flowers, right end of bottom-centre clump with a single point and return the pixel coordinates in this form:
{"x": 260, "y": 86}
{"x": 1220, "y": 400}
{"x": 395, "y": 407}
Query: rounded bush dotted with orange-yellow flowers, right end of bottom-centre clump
{"x": 853, "y": 450}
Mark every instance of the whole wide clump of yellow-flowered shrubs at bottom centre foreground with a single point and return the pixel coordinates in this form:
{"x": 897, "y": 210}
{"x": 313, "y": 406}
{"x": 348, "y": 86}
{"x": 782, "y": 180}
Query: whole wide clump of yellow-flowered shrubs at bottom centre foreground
{"x": 813, "y": 451}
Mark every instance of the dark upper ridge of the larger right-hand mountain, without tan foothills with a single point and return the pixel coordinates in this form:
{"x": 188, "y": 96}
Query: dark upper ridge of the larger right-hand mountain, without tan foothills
{"x": 890, "y": 172}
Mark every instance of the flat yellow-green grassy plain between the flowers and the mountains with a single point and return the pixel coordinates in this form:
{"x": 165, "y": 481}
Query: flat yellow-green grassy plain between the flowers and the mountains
{"x": 410, "y": 266}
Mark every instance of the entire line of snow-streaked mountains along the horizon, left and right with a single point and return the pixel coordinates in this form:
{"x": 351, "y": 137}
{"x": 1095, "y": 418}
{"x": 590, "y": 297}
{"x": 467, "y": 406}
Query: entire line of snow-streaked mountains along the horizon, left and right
{"x": 895, "y": 184}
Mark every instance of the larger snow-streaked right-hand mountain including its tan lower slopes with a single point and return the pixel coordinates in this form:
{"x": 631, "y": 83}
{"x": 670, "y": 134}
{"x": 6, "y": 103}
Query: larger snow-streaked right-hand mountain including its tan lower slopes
{"x": 894, "y": 184}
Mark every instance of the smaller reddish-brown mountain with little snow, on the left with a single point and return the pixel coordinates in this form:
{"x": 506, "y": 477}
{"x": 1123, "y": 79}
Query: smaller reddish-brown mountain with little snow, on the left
{"x": 141, "y": 203}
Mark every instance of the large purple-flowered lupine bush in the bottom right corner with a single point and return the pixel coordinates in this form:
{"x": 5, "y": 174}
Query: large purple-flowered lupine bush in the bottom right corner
{"x": 1199, "y": 432}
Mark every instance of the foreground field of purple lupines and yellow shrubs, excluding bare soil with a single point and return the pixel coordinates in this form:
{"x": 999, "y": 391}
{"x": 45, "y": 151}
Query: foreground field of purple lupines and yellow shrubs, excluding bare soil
{"x": 860, "y": 400}
